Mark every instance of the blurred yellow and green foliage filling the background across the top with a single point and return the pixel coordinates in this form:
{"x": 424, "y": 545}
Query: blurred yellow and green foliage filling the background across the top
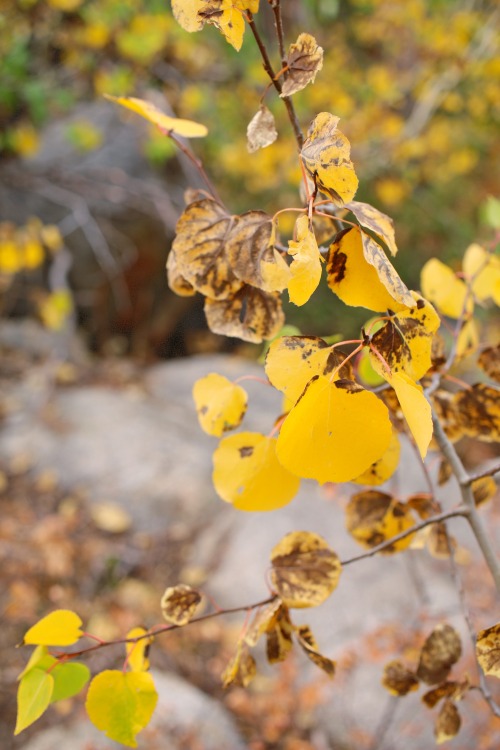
{"x": 416, "y": 84}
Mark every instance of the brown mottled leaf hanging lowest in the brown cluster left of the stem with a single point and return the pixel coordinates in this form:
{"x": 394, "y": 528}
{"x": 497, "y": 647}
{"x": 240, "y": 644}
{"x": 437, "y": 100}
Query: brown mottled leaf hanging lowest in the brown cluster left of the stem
{"x": 250, "y": 315}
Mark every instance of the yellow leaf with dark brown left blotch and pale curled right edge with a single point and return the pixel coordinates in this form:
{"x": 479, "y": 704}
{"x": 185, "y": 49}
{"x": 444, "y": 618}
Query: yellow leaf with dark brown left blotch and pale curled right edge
{"x": 360, "y": 273}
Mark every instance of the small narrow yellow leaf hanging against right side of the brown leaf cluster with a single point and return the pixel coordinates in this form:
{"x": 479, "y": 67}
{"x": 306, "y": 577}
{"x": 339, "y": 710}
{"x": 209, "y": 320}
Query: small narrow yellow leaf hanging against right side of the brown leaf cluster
{"x": 306, "y": 264}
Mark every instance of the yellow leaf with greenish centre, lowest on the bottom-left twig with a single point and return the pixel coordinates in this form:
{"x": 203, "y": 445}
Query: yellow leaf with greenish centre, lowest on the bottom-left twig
{"x": 121, "y": 704}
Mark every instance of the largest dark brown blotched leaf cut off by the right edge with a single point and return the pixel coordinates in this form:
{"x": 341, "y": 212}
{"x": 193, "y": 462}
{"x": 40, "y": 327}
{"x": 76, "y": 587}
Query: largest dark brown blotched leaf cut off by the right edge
{"x": 478, "y": 411}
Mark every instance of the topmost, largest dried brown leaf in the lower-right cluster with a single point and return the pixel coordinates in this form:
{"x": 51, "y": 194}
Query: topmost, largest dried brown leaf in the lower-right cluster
{"x": 440, "y": 651}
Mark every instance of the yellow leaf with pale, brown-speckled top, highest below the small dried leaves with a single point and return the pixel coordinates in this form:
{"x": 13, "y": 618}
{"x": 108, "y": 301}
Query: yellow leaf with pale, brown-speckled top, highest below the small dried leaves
{"x": 326, "y": 157}
